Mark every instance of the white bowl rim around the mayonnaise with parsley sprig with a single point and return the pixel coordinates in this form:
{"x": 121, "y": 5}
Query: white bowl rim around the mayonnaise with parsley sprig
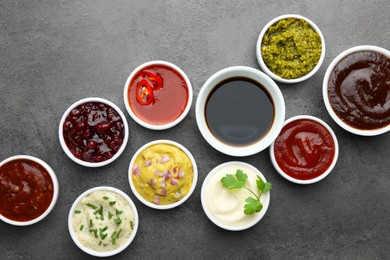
{"x": 254, "y": 219}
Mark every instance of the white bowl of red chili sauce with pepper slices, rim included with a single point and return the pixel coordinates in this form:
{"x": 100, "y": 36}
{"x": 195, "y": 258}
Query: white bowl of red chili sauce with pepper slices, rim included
{"x": 158, "y": 95}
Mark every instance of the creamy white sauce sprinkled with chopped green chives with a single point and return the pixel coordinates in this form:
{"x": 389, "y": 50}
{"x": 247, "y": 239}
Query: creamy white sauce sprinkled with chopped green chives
{"x": 108, "y": 219}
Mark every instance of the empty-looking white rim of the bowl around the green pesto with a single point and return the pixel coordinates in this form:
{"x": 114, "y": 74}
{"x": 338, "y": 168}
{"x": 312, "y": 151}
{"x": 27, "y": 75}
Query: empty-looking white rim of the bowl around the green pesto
{"x": 260, "y": 56}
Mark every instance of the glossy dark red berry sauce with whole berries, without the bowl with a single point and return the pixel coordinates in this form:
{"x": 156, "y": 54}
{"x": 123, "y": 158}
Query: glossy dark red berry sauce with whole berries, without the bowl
{"x": 93, "y": 132}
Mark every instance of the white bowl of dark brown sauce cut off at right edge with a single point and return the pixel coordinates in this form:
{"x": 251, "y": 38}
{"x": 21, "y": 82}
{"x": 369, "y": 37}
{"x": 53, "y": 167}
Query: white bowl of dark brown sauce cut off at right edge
{"x": 356, "y": 90}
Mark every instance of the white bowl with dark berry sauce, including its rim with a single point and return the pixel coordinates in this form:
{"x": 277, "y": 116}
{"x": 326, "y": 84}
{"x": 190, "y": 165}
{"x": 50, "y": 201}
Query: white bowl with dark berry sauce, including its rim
{"x": 93, "y": 132}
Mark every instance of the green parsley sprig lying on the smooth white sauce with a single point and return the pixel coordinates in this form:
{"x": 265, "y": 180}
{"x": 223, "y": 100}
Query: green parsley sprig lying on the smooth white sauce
{"x": 253, "y": 205}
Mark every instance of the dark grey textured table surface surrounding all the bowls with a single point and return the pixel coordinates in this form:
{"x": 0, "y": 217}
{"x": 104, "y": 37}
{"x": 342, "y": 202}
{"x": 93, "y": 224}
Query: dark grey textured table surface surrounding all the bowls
{"x": 54, "y": 53}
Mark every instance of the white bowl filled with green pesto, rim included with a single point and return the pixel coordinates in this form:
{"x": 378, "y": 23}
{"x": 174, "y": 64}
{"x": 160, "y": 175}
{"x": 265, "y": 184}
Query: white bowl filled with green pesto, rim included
{"x": 290, "y": 48}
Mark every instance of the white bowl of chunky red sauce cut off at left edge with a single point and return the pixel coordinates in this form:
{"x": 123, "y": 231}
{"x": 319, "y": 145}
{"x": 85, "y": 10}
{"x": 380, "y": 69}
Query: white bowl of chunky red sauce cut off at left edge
{"x": 28, "y": 190}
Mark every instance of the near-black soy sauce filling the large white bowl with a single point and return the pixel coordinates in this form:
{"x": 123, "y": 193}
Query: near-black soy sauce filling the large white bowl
{"x": 239, "y": 111}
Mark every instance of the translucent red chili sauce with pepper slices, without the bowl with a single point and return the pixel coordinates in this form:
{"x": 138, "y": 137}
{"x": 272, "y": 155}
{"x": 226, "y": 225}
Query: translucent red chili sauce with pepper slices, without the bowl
{"x": 158, "y": 94}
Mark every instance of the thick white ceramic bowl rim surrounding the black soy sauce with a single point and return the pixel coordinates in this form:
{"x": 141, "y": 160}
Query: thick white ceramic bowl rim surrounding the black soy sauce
{"x": 267, "y": 83}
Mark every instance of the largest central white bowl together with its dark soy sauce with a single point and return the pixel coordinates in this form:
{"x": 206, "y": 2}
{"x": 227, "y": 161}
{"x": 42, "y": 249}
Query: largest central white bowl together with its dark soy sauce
{"x": 240, "y": 111}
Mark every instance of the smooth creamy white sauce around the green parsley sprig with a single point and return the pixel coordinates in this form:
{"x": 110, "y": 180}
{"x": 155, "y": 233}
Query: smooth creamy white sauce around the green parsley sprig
{"x": 227, "y": 206}
